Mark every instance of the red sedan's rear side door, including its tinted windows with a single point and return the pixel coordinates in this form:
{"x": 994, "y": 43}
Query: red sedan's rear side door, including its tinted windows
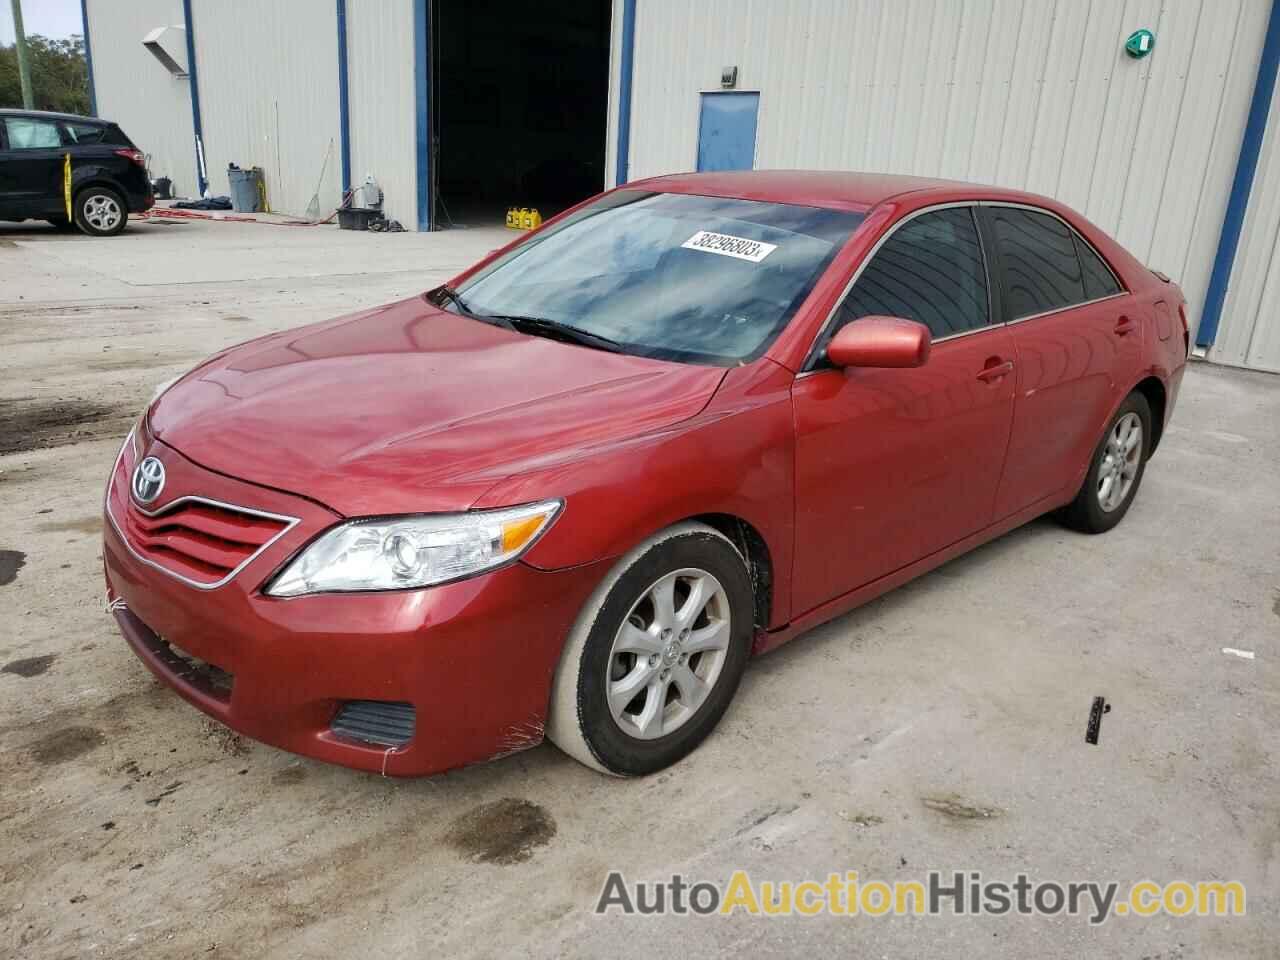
{"x": 1080, "y": 344}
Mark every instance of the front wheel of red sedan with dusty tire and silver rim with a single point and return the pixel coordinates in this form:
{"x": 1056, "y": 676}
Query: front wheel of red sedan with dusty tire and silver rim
{"x": 637, "y": 742}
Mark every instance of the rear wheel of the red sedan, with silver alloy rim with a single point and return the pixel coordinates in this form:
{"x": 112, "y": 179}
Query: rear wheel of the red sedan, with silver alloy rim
{"x": 1096, "y": 509}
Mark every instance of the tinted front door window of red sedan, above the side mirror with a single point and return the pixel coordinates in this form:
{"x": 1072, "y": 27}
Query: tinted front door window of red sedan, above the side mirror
{"x": 931, "y": 271}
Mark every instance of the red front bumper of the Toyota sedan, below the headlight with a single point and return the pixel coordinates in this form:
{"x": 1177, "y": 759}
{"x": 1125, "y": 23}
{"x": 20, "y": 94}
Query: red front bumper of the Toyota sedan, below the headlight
{"x": 476, "y": 659}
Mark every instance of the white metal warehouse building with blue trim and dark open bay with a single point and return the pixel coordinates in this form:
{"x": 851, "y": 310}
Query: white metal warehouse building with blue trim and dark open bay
{"x": 463, "y": 108}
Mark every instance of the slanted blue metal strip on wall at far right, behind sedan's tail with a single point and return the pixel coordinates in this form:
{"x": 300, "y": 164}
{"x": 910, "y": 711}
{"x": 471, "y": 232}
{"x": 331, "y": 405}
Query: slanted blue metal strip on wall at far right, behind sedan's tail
{"x": 1246, "y": 167}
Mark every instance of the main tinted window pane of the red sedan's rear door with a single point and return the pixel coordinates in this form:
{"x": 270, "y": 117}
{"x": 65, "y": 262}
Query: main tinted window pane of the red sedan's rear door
{"x": 1043, "y": 272}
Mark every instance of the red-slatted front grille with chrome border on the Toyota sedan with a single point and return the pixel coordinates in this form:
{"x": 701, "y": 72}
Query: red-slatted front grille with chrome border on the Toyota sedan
{"x": 202, "y": 542}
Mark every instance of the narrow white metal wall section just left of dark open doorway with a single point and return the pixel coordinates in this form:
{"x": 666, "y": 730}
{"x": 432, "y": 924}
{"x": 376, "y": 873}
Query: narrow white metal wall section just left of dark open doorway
{"x": 382, "y": 95}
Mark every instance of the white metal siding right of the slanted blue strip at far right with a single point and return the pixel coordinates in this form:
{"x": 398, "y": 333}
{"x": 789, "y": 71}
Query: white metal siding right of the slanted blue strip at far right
{"x": 1250, "y": 330}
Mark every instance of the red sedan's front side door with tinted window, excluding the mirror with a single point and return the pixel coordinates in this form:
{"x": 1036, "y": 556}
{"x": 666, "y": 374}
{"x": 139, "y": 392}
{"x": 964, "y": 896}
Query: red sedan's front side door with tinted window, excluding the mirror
{"x": 894, "y": 465}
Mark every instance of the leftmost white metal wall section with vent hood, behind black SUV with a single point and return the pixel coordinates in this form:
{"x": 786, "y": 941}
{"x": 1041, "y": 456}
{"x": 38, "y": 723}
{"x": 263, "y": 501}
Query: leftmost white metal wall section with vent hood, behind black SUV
{"x": 132, "y": 89}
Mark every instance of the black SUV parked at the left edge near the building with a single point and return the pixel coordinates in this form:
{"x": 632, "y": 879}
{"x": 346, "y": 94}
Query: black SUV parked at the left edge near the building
{"x": 108, "y": 173}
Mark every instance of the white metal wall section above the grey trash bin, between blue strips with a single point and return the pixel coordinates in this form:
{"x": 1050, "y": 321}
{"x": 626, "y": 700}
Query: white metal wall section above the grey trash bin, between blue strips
{"x": 269, "y": 97}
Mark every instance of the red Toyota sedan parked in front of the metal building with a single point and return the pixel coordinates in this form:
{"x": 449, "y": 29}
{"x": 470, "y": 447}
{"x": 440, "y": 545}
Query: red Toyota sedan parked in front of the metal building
{"x": 575, "y": 490}
